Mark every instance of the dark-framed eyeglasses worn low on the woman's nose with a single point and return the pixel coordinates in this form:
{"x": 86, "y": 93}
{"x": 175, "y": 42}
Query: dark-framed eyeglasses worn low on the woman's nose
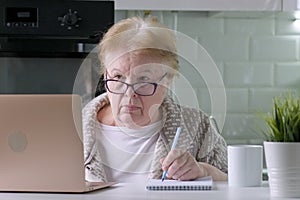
{"x": 139, "y": 88}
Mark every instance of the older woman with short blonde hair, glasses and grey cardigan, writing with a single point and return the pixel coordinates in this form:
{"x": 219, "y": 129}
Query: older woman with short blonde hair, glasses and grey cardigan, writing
{"x": 129, "y": 130}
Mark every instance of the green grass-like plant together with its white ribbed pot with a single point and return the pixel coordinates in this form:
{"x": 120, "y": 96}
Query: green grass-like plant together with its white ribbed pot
{"x": 282, "y": 146}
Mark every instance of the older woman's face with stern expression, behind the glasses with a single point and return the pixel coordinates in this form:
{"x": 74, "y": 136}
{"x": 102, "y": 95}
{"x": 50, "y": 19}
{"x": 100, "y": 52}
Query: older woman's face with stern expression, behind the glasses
{"x": 130, "y": 109}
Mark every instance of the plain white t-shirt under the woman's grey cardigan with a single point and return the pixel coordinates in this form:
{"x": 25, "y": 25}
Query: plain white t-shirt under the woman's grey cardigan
{"x": 127, "y": 153}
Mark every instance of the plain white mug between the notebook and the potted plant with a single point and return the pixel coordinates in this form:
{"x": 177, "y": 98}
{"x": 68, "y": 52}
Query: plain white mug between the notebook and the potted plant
{"x": 245, "y": 163}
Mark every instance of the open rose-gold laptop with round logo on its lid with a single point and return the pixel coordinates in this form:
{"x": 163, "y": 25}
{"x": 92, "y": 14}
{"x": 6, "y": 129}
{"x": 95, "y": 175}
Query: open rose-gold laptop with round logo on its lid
{"x": 41, "y": 147}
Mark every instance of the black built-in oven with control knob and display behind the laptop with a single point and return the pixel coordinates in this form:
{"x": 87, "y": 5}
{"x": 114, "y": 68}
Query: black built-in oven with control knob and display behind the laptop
{"x": 43, "y": 43}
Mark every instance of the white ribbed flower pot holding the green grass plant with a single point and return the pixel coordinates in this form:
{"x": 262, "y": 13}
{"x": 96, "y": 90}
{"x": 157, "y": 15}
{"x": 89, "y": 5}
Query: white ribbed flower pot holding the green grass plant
{"x": 283, "y": 164}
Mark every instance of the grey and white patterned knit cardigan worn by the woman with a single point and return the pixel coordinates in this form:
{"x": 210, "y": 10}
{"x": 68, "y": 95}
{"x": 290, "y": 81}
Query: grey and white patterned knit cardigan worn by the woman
{"x": 197, "y": 137}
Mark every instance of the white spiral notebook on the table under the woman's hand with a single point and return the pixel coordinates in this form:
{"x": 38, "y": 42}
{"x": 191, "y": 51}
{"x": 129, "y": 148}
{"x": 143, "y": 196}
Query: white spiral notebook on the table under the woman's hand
{"x": 204, "y": 183}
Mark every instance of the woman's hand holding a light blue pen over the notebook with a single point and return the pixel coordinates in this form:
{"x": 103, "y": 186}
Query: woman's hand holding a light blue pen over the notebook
{"x": 181, "y": 165}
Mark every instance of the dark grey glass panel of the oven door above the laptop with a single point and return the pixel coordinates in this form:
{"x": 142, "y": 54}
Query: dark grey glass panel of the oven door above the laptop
{"x": 45, "y": 75}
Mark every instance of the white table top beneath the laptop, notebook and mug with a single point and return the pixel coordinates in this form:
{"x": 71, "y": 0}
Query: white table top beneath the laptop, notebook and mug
{"x": 131, "y": 191}
